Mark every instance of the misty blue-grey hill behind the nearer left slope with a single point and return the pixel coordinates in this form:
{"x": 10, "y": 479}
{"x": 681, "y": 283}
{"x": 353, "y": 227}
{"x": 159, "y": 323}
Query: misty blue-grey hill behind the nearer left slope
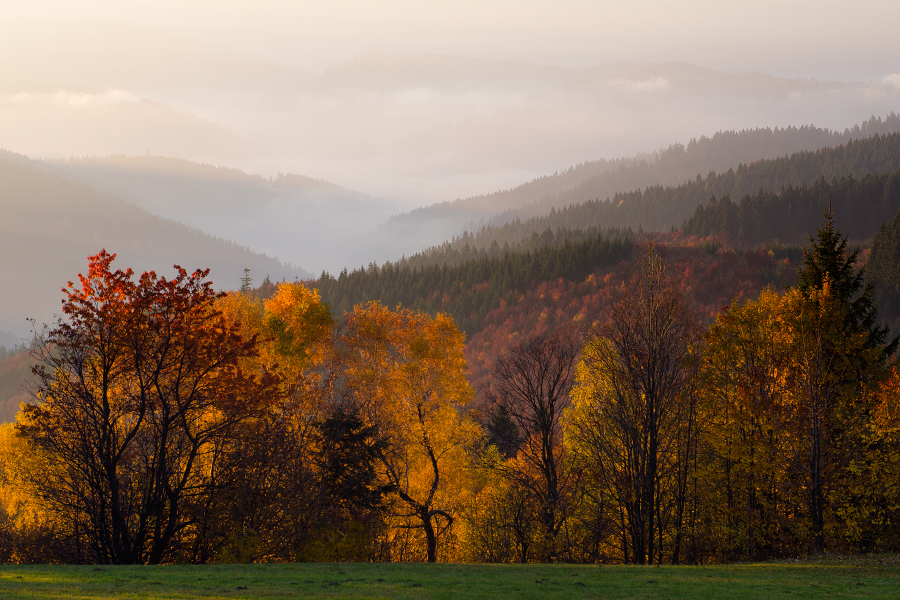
{"x": 299, "y": 219}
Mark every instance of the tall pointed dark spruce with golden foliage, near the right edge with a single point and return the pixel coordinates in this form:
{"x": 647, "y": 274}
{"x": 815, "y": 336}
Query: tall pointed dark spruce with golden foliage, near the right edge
{"x": 839, "y": 354}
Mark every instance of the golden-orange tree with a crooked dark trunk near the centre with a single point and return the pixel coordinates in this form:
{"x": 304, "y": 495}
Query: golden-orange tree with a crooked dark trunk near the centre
{"x": 407, "y": 373}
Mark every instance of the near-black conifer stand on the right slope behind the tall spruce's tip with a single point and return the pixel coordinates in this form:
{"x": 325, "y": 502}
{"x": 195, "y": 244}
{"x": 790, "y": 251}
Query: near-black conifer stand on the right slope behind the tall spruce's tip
{"x": 789, "y": 215}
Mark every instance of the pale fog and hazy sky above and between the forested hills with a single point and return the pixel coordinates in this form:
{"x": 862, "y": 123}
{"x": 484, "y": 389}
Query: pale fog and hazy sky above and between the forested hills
{"x": 411, "y": 103}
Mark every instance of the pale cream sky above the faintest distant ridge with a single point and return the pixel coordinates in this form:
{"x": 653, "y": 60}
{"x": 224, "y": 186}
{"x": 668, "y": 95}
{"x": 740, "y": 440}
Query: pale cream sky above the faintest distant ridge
{"x": 833, "y": 39}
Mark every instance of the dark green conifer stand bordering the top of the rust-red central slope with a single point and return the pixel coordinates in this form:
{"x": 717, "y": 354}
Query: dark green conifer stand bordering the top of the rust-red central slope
{"x": 473, "y": 287}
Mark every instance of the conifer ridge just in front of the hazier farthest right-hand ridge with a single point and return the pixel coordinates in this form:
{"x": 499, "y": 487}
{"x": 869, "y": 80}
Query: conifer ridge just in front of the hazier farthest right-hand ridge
{"x": 660, "y": 208}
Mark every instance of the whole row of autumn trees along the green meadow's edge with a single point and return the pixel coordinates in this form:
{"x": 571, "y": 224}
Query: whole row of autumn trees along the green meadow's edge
{"x": 173, "y": 424}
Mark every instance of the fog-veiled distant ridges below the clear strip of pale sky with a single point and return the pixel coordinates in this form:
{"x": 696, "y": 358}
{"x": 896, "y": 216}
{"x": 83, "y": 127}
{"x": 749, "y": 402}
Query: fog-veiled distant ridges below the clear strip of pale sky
{"x": 414, "y": 126}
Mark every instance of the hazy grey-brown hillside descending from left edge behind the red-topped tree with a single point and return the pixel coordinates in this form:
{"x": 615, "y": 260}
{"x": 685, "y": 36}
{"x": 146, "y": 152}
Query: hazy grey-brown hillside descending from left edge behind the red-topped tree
{"x": 50, "y": 225}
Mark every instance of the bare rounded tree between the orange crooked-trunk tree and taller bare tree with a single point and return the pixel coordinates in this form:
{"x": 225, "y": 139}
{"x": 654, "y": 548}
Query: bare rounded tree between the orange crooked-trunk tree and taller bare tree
{"x": 531, "y": 387}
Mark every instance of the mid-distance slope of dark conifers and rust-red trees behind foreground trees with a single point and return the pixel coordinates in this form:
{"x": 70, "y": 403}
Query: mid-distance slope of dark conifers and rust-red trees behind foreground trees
{"x": 500, "y": 300}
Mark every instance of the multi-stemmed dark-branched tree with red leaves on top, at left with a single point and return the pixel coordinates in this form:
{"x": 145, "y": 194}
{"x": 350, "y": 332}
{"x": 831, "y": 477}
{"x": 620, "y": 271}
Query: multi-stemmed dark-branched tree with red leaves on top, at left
{"x": 138, "y": 383}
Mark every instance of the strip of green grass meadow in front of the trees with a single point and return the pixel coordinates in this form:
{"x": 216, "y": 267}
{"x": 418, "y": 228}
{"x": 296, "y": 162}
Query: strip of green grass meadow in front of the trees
{"x": 853, "y": 577}
